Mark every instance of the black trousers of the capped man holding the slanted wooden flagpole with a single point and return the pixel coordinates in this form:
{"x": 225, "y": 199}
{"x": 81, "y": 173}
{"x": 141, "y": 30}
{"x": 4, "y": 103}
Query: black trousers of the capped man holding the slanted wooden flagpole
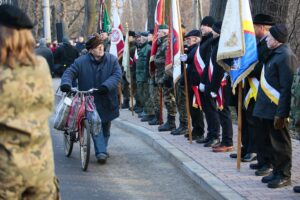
{"x": 197, "y": 117}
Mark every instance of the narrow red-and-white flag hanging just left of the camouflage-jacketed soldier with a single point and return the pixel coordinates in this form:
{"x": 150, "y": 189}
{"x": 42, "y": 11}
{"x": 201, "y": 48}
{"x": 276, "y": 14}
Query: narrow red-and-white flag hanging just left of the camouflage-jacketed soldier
{"x": 158, "y": 20}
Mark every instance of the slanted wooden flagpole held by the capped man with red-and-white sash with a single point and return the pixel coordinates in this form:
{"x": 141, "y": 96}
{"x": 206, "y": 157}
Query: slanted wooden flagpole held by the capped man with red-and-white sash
{"x": 185, "y": 78}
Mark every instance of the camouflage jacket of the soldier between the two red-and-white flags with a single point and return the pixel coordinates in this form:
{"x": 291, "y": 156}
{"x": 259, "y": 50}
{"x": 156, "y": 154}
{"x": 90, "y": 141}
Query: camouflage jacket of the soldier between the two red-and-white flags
{"x": 160, "y": 59}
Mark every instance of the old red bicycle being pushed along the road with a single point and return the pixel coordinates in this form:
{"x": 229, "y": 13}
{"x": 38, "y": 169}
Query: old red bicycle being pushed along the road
{"x": 82, "y": 130}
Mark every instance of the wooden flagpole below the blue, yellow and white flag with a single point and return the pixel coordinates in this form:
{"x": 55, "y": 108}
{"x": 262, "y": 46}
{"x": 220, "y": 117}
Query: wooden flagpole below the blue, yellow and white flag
{"x": 238, "y": 160}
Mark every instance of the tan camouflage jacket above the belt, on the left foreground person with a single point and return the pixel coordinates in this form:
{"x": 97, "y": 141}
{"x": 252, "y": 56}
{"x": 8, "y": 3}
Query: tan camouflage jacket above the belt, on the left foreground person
{"x": 26, "y": 98}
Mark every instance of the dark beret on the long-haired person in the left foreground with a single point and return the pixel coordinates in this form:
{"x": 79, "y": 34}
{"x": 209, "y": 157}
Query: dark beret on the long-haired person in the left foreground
{"x": 14, "y": 17}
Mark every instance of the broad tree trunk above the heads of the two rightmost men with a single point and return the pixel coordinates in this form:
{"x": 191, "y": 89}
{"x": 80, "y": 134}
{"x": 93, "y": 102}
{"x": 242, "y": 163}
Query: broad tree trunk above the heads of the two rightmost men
{"x": 276, "y": 8}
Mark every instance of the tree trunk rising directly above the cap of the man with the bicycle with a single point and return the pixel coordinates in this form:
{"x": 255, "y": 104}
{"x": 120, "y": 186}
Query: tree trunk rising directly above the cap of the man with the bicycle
{"x": 89, "y": 18}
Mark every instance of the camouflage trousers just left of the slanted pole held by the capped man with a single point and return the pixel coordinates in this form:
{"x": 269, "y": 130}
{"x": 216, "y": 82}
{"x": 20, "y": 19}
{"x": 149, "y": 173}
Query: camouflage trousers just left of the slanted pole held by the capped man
{"x": 180, "y": 102}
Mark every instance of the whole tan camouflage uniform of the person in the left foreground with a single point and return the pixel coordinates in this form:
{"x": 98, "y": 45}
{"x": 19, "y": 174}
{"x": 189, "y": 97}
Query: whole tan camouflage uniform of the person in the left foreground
{"x": 26, "y": 157}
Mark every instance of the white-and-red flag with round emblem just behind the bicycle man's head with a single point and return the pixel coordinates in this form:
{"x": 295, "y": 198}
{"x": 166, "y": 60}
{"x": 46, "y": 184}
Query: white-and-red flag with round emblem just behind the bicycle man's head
{"x": 117, "y": 42}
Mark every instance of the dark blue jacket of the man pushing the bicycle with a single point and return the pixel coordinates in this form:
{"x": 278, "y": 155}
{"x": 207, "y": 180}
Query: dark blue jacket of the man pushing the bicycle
{"x": 92, "y": 74}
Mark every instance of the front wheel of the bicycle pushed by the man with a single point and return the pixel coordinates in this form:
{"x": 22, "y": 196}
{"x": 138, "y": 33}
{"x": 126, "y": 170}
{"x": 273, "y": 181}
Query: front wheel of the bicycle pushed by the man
{"x": 85, "y": 144}
